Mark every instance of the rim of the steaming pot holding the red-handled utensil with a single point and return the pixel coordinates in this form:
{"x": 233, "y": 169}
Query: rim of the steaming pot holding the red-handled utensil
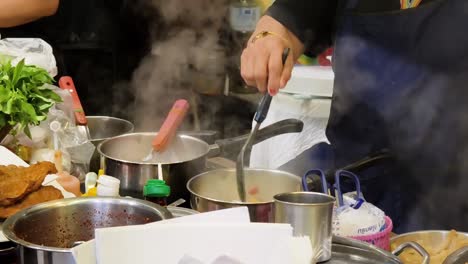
{"x": 149, "y": 163}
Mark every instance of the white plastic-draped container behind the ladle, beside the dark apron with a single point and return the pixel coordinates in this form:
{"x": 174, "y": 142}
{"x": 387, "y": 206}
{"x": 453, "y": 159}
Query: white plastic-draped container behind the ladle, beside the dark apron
{"x": 307, "y": 97}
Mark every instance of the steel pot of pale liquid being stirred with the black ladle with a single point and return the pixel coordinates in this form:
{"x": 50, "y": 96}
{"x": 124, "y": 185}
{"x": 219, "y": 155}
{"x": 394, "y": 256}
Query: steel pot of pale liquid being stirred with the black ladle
{"x": 217, "y": 189}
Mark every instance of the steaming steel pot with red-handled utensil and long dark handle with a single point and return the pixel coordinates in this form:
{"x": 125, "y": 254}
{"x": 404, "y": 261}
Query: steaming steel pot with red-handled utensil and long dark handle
{"x": 123, "y": 156}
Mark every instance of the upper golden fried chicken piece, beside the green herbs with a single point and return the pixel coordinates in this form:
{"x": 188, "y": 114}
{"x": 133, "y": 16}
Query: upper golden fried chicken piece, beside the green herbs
{"x": 17, "y": 182}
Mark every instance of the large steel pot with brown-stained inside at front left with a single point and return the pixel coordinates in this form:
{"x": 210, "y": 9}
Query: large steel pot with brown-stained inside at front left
{"x": 46, "y": 232}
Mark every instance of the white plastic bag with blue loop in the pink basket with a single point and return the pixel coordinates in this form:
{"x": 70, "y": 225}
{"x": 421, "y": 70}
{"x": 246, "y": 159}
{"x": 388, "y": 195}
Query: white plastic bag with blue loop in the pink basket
{"x": 354, "y": 216}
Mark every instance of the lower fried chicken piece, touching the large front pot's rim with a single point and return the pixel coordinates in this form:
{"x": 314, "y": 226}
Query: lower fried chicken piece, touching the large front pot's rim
{"x": 44, "y": 194}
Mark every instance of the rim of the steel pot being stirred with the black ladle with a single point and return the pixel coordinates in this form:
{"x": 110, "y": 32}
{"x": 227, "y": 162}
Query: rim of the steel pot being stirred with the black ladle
{"x": 230, "y": 202}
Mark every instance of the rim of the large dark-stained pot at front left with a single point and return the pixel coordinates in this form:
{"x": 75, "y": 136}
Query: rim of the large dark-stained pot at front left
{"x": 9, "y": 223}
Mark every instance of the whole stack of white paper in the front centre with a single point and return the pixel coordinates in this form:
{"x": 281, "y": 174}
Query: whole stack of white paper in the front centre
{"x": 198, "y": 239}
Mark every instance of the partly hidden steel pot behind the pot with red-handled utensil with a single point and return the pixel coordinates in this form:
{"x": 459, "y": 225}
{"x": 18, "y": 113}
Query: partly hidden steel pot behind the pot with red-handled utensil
{"x": 104, "y": 127}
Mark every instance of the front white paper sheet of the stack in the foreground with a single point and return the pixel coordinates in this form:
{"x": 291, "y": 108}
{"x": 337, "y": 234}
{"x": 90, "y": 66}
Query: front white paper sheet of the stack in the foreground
{"x": 249, "y": 243}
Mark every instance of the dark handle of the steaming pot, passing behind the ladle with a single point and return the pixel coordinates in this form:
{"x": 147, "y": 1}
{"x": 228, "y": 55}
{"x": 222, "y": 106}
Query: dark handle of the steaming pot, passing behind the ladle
{"x": 233, "y": 145}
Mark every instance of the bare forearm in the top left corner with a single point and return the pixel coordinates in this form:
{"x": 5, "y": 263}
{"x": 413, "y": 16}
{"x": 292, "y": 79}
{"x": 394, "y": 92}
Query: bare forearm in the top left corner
{"x": 18, "y": 12}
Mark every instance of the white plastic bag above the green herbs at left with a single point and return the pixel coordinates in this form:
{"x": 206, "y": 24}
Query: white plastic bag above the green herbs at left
{"x": 35, "y": 51}
